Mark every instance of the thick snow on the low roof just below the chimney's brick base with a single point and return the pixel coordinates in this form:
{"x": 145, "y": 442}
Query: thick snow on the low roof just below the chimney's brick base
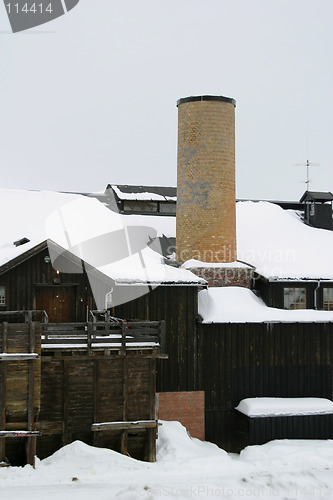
{"x": 241, "y": 305}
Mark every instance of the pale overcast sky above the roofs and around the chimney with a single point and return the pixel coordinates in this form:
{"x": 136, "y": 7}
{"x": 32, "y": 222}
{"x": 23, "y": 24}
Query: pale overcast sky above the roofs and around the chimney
{"x": 90, "y": 98}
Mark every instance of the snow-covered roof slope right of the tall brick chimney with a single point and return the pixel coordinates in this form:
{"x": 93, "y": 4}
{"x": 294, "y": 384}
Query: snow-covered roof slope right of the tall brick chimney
{"x": 280, "y": 245}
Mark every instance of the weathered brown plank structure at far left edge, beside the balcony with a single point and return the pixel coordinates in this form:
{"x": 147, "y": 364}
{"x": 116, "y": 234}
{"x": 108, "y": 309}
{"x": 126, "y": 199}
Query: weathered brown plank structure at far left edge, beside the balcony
{"x": 20, "y": 386}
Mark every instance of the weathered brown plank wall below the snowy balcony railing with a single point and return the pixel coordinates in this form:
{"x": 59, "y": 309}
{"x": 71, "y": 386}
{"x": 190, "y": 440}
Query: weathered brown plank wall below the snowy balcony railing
{"x": 78, "y": 391}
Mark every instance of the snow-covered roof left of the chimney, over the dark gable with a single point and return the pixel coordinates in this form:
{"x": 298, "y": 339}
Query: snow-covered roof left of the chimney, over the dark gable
{"x": 112, "y": 243}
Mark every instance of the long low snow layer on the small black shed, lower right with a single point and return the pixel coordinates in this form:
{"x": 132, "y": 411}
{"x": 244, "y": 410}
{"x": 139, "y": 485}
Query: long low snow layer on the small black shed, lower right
{"x": 274, "y": 407}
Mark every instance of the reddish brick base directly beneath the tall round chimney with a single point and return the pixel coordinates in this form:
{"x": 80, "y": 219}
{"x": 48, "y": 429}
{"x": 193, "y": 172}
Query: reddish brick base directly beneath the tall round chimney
{"x": 221, "y": 276}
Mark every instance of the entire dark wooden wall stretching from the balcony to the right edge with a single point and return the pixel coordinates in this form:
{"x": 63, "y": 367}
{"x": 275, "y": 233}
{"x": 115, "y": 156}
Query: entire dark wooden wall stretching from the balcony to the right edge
{"x": 233, "y": 361}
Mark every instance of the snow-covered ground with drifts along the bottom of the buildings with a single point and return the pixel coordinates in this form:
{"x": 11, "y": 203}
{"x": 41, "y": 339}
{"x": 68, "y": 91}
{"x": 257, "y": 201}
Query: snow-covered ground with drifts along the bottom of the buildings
{"x": 185, "y": 469}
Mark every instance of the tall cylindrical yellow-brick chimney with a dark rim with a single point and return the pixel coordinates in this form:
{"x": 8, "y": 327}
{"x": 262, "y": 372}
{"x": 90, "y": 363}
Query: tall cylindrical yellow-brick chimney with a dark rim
{"x": 206, "y": 204}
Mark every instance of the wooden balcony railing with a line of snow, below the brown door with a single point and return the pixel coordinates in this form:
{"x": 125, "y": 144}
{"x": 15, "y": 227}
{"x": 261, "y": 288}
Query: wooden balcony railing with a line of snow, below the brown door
{"x": 124, "y": 335}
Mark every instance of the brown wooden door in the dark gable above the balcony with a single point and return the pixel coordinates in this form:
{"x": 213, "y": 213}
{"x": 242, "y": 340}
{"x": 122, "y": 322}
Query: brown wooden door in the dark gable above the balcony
{"x": 57, "y": 301}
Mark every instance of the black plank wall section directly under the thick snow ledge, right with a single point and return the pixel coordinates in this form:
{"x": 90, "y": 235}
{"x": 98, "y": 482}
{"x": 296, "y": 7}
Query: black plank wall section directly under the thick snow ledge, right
{"x": 260, "y": 360}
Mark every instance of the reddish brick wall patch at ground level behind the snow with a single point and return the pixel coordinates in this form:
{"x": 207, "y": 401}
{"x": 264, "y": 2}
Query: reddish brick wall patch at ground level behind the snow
{"x": 188, "y": 408}
